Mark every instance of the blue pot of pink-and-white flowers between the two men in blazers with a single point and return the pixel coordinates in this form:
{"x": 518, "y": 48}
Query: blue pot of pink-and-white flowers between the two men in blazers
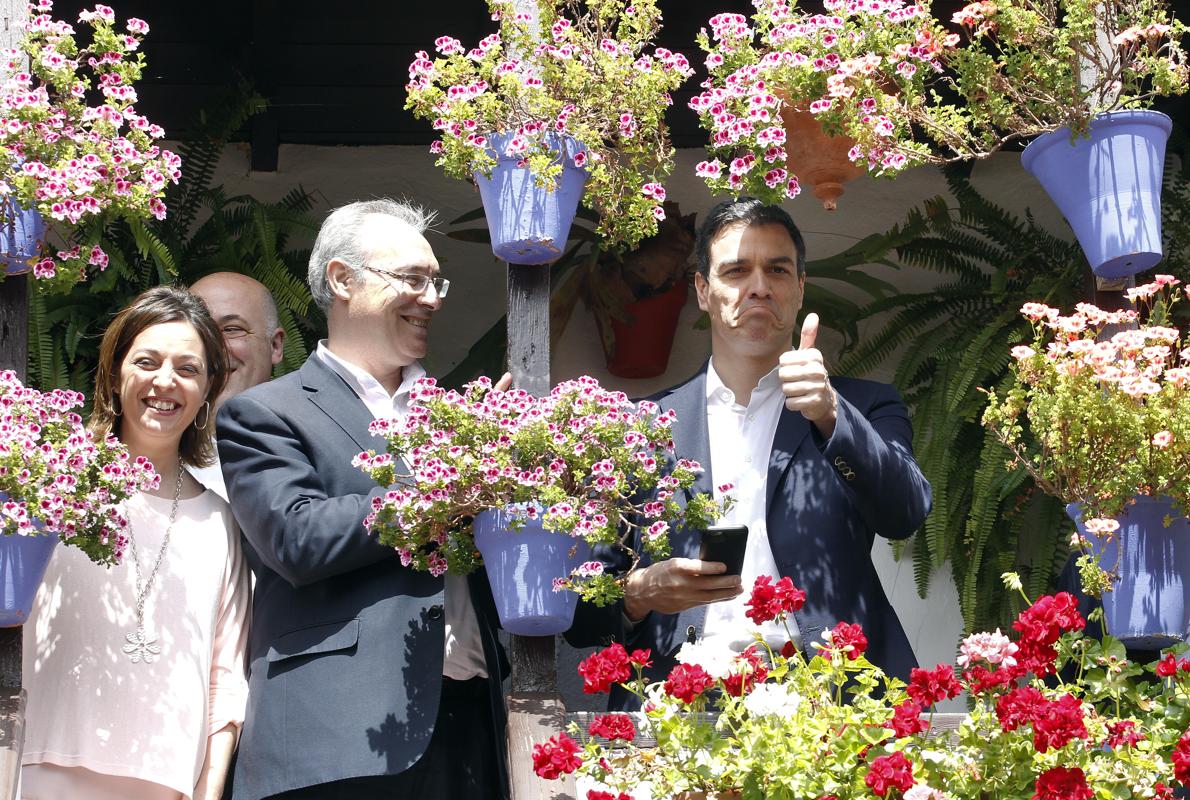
{"x": 527, "y": 486}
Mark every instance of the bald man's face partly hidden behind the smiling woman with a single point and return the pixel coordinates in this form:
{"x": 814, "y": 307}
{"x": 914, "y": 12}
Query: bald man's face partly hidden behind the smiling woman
{"x": 247, "y": 315}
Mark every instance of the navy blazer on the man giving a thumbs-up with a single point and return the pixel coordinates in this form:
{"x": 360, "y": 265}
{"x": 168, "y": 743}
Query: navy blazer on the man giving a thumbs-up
{"x": 826, "y": 503}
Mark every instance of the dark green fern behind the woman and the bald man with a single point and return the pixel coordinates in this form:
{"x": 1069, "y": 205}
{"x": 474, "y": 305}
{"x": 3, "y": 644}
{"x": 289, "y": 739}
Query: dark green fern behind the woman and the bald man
{"x": 206, "y": 232}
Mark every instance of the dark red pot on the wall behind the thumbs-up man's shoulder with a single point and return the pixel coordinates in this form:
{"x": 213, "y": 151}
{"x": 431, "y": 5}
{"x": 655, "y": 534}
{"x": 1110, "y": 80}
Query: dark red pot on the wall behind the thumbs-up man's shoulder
{"x": 643, "y": 346}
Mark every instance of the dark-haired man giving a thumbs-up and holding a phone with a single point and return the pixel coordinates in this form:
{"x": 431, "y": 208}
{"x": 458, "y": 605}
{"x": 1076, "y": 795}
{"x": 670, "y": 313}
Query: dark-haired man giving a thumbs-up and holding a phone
{"x": 822, "y": 465}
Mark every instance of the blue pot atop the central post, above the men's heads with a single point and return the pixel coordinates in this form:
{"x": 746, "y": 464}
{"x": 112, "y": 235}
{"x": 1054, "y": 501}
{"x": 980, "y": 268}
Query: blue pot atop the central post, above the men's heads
{"x": 530, "y": 224}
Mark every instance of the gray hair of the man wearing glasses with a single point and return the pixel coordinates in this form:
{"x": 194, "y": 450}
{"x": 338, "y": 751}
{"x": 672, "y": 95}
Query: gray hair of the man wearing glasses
{"x": 340, "y": 239}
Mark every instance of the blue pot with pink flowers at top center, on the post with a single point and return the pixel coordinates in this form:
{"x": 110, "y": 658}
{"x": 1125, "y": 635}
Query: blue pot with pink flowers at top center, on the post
{"x": 552, "y": 110}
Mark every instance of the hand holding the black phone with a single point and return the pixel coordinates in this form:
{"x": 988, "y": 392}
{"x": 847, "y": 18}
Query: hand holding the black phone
{"x": 675, "y": 585}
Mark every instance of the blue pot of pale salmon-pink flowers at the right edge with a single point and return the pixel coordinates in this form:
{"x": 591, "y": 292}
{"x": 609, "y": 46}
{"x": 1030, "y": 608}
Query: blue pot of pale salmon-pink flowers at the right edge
{"x": 1110, "y": 416}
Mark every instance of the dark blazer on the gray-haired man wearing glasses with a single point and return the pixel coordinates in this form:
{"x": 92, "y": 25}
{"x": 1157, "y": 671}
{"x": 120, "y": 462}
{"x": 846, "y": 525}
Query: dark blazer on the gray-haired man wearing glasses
{"x": 346, "y": 649}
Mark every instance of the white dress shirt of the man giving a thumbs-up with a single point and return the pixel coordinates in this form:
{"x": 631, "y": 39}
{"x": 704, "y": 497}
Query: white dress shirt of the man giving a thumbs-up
{"x": 741, "y": 446}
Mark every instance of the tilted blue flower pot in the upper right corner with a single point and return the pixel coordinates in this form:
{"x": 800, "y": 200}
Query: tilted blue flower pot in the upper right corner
{"x": 1108, "y": 187}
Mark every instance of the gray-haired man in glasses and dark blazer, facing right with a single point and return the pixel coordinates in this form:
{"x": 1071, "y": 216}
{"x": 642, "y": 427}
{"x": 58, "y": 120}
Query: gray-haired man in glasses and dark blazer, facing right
{"x": 367, "y": 679}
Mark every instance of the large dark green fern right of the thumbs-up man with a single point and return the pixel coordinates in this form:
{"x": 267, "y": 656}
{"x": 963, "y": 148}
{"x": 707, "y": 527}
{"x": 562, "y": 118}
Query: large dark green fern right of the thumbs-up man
{"x": 951, "y": 343}
